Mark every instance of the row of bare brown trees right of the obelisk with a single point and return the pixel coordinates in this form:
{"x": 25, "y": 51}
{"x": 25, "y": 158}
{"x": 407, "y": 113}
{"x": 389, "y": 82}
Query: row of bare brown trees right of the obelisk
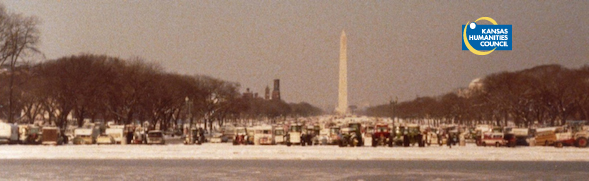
{"x": 546, "y": 95}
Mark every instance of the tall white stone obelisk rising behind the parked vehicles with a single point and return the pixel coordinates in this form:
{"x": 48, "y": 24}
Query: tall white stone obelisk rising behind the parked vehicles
{"x": 342, "y": 107}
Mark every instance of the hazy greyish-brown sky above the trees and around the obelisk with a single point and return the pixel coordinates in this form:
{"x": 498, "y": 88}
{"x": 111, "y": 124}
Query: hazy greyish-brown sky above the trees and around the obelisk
{"x": 395, "y": 48}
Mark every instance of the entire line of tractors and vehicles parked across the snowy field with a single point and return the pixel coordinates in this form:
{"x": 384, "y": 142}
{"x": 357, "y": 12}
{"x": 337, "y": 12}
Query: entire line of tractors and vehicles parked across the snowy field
{"x": 346, "y": 134}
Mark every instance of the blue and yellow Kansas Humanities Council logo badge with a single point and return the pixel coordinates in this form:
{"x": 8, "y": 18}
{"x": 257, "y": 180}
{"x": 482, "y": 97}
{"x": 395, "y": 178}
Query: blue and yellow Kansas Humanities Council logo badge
{"x": 484, "y": 39}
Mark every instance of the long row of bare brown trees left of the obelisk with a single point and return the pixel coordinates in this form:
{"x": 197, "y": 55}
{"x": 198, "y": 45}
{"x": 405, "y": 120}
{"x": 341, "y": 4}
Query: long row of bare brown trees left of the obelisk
{"x": 98, "y": 87}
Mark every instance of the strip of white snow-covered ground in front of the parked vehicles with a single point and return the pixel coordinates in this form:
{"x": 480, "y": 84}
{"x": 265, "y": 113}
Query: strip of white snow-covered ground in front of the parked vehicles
{"x": 281, "y": 152}
